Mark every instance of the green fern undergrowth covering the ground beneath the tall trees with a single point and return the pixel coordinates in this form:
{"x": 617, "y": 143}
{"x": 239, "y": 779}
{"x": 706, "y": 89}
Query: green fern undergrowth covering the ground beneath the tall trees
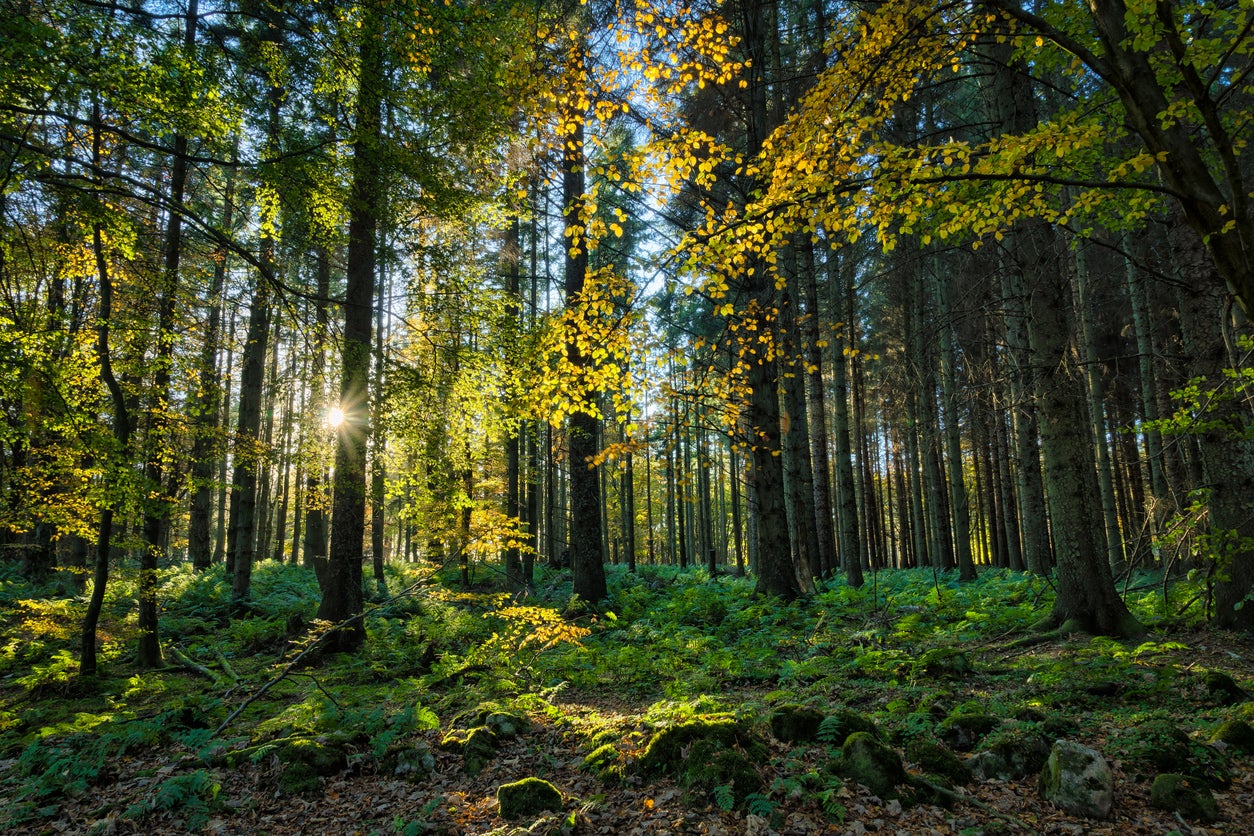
{"x": 910, "y": 649}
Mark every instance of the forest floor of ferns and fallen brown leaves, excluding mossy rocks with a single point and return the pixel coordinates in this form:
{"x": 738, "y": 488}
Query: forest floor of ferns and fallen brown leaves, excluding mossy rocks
{"x": 136, "y": 753}
